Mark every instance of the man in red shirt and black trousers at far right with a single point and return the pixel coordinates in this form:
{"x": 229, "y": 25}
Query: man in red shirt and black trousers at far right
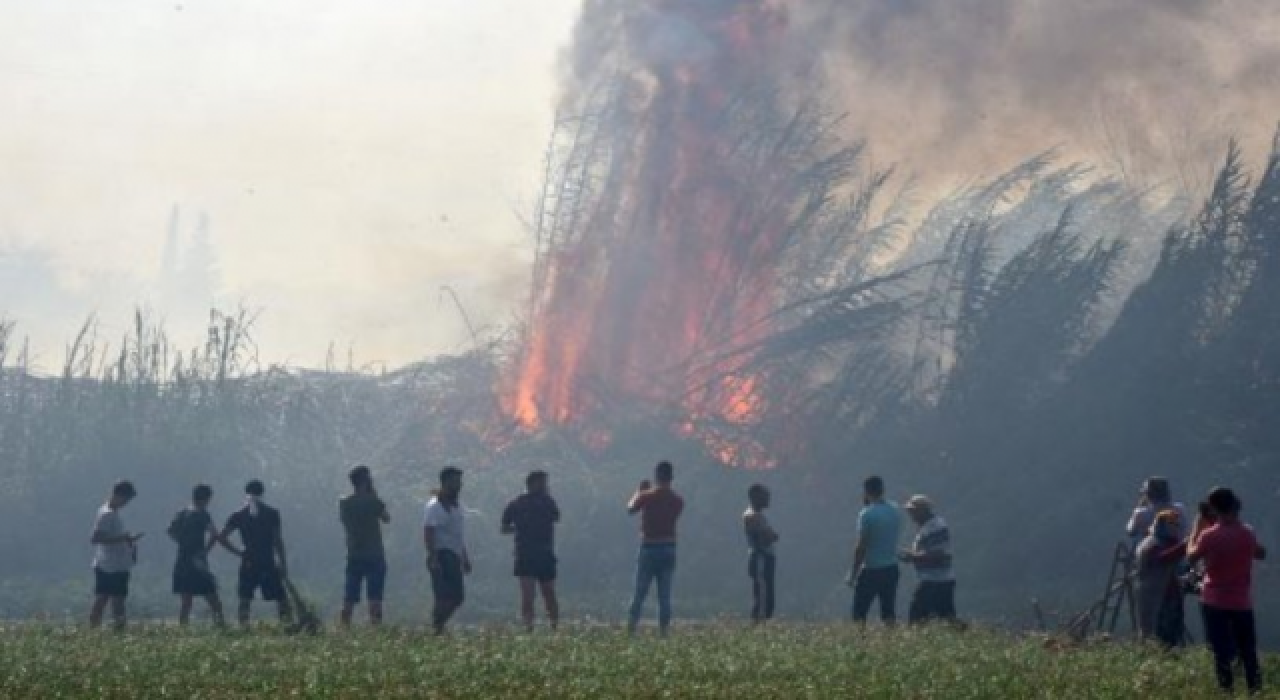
{"x": 1228, "y": 548}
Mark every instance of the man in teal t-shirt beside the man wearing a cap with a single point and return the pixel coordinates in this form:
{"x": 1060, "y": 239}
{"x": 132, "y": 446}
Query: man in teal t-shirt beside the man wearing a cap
{"x": 875, "y": 573}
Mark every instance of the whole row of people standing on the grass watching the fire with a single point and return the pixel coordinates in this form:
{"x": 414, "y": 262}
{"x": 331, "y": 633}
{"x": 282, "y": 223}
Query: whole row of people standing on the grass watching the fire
{"x": 1214, "y": 560}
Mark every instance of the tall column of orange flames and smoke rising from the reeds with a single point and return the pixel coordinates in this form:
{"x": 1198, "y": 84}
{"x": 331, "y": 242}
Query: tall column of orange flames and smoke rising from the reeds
{"x": 671, "y": 259}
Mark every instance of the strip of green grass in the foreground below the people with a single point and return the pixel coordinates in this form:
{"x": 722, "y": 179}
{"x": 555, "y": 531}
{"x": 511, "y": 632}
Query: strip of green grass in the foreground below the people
{"x": 705, "y": 662}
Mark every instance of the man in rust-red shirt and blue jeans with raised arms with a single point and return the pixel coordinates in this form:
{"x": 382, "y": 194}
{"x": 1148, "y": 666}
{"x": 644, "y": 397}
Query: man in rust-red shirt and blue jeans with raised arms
{"x": 660, "y": 509}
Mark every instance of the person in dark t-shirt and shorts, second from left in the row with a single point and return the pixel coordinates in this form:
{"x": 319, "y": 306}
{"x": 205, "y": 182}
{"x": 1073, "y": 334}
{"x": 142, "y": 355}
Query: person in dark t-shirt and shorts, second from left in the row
{"x": 195, "y": 533}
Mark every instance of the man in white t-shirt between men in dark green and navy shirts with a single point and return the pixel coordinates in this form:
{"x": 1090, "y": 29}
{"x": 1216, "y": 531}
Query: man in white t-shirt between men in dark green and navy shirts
{"x": 446, "y": 548}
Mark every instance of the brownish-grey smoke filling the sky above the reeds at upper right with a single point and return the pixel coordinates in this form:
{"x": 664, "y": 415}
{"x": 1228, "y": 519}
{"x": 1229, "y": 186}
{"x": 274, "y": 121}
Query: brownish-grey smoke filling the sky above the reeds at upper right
{"x": 1150, "y": 89}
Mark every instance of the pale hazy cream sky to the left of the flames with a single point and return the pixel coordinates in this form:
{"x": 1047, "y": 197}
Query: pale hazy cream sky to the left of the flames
{"x": 353, "y": 158}
